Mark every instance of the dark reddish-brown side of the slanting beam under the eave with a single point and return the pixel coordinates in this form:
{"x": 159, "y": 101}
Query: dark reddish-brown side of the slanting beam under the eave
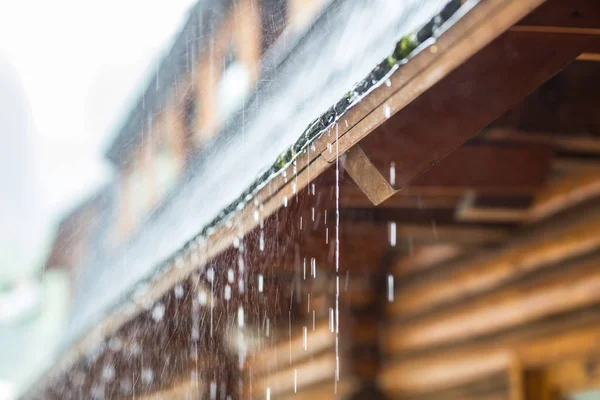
{"x": 461, "y": 114}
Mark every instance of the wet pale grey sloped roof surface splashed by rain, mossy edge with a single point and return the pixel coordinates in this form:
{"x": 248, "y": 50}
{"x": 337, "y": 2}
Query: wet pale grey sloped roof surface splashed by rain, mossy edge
{"x": 292, "y": 103}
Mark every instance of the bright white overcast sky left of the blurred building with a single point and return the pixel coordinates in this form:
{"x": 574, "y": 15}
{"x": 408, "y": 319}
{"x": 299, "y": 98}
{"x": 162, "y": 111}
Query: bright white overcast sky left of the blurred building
{"x": 81, "y": 63}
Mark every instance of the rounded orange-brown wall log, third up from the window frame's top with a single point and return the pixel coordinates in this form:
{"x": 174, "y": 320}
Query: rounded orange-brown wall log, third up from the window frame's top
{"x": 538, "y": 249}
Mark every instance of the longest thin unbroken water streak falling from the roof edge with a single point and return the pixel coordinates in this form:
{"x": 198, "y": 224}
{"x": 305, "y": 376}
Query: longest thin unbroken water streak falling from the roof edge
{"x": 337, "y": 254}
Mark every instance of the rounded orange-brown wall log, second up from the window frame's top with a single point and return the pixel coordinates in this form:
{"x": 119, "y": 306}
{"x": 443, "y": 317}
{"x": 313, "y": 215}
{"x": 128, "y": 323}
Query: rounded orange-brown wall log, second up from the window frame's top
{"x": 567, "y": 291}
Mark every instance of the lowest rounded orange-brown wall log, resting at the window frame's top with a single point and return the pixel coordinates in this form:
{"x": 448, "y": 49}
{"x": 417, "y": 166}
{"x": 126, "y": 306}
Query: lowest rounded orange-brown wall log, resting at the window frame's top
{"x": 533, "y": 348}
